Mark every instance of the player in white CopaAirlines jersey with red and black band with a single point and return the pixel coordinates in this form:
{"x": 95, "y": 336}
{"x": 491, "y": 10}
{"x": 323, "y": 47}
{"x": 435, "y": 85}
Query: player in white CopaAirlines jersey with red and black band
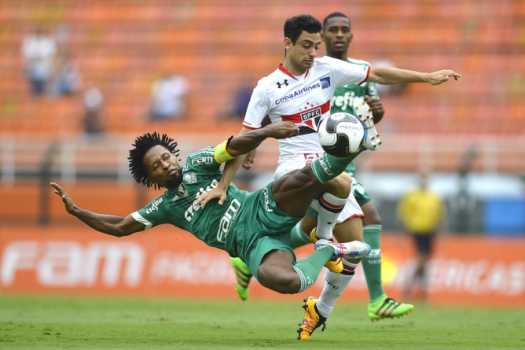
{"x": 300, "y": 91}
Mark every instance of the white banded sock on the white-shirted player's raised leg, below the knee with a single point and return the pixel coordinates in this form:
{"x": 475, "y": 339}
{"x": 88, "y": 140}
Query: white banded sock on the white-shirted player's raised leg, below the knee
{"x": 329, "y": 209}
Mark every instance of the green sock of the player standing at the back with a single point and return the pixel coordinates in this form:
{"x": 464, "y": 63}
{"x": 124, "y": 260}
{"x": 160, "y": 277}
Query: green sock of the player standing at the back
{"x": 372, "y": 263}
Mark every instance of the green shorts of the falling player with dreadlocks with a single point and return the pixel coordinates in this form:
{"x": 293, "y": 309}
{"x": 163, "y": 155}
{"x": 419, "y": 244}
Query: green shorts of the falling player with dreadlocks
{"x": 260, "y": 228}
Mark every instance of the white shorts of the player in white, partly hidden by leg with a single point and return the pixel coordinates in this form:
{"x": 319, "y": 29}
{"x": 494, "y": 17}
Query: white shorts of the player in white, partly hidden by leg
{"x": 351, "y": 209}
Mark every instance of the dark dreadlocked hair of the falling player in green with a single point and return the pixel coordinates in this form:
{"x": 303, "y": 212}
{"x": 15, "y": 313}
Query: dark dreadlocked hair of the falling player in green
{"x": 141, "y": 146}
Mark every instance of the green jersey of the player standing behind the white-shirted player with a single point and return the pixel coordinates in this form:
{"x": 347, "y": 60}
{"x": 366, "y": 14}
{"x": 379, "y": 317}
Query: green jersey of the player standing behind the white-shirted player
{"x": 341, "y": 102}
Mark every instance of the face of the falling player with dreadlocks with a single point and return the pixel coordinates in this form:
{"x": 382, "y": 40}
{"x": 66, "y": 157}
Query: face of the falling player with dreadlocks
{"x": 163, "y": 168}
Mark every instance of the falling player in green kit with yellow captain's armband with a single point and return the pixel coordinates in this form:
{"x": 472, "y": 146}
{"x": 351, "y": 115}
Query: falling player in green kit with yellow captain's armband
{"x": 253, "y": 226}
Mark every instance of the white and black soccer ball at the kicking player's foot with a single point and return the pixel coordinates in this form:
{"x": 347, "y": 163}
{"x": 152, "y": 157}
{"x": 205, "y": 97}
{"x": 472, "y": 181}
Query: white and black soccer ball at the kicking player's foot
{"x": 341, "y": 134}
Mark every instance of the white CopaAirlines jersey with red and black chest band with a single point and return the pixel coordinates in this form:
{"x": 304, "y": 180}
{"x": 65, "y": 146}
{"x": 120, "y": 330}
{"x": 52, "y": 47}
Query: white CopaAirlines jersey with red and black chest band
{"x": 303, "y": 100}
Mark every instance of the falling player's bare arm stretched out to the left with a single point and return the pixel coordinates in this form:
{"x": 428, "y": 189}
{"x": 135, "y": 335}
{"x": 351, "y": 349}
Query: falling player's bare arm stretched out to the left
{"x": 117, "y": 226}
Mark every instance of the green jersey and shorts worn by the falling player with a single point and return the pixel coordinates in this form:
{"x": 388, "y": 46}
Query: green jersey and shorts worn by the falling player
{"x": 237, "y": 226}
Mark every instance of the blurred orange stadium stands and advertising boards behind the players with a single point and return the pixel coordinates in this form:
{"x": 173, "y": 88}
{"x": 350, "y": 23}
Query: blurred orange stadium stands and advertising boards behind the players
{"x": 470, "y": 132}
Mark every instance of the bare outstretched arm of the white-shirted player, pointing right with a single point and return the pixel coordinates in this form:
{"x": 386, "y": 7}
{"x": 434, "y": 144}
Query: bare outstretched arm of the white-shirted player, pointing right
{"x": 390, "y": 75}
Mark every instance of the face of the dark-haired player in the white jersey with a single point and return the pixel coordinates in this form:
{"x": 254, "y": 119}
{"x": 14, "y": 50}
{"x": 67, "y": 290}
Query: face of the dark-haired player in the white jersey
{"x": 302, "y": 53}
